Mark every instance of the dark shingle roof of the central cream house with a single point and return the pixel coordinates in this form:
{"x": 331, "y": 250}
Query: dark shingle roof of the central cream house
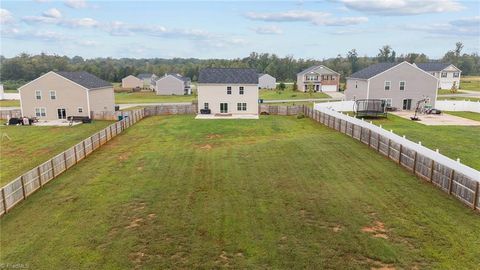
{"x": 228, "y": 75}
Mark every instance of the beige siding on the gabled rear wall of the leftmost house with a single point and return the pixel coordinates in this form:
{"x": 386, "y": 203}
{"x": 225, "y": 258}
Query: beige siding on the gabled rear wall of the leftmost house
{"x": 69, "y": 96}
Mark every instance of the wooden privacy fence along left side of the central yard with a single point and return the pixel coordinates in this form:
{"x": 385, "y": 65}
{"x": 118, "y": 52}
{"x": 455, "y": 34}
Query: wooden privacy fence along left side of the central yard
{"x": 29, "y": 182}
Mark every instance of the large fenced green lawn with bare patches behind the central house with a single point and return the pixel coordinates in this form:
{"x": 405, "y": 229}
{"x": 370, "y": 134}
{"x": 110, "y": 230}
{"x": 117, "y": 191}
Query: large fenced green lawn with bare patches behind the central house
{"x": 278, "y": 193}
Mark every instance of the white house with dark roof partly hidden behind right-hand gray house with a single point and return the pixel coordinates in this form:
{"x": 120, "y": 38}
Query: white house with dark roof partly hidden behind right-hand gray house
{"x": 447, "y": 74}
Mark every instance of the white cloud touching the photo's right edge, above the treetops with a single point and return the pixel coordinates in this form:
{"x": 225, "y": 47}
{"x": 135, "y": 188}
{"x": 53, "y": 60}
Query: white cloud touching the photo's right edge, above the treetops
{"x": 466, "y": 27}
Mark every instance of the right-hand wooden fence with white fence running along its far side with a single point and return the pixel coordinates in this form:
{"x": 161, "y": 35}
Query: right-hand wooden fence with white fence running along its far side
{"x": 450, "y": 176}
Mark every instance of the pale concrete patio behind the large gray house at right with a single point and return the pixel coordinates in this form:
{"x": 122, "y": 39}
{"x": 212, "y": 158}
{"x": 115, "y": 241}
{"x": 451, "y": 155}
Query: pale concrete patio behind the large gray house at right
{"x": 444, "y": 119}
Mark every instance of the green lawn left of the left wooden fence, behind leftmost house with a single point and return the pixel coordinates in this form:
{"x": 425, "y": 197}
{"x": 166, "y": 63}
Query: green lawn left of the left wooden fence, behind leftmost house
{"x": 24, "y": 147}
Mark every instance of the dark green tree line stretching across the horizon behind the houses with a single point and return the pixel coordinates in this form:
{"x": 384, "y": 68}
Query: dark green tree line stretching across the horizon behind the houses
{"x": 24, "y": 67}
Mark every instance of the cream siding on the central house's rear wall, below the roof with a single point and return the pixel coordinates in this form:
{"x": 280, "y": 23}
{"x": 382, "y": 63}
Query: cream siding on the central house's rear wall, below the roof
{"x": 214, "y": 94}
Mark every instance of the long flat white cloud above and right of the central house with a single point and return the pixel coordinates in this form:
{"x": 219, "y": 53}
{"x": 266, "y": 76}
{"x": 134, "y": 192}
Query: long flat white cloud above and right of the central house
{"x": 314, "y": 17}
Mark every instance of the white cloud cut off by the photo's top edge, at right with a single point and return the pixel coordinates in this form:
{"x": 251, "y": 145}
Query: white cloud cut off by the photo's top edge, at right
{"x": 403, "y": 7}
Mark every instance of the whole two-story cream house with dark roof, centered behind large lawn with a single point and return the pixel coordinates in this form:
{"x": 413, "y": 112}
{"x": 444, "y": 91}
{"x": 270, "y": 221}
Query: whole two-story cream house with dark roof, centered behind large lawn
{"x": 232, "y": 91}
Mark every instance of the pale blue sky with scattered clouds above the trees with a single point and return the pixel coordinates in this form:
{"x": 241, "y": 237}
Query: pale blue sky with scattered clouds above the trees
{"x": 232, "y": 29}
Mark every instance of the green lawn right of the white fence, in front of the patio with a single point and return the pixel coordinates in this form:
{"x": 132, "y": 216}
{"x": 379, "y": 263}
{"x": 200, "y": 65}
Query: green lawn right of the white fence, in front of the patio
{"x": 453, "y": 141}
